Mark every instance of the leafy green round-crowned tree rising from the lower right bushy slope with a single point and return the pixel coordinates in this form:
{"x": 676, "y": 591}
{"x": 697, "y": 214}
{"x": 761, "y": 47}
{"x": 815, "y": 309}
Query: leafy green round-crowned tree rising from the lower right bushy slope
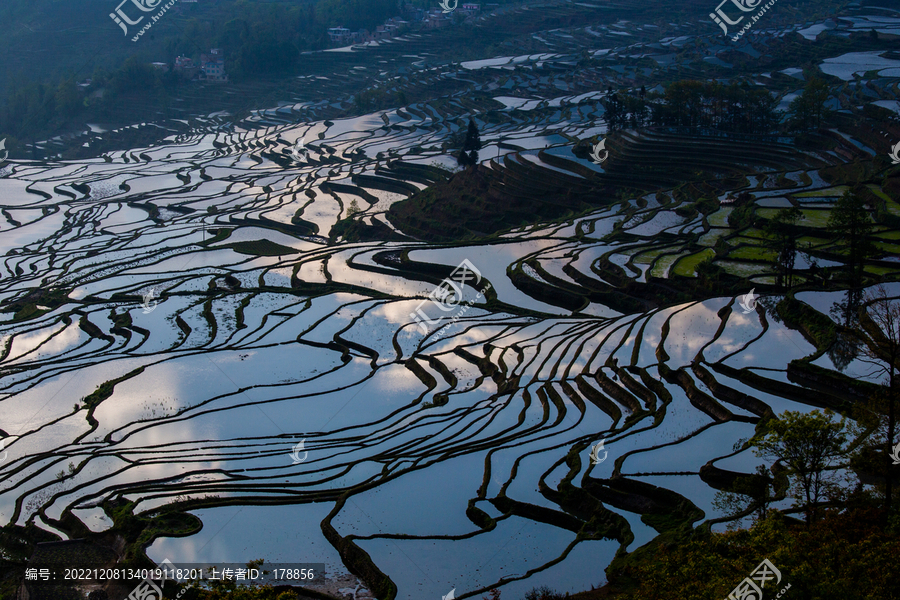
{"x": 807, "y": 444}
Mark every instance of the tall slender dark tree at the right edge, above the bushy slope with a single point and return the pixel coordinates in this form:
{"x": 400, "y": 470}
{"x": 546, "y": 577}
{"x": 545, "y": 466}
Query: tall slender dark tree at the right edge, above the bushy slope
{"x": 879, "y": 324}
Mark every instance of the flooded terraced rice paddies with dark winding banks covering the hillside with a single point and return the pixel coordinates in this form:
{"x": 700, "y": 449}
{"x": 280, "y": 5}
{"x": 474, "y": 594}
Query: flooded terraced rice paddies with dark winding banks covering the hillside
{"x": 180, "y": 316}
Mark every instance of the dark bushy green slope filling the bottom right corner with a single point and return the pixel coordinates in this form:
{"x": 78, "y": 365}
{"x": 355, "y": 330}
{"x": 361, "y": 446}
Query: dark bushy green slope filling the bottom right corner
{"x": 711, "y": 565}
